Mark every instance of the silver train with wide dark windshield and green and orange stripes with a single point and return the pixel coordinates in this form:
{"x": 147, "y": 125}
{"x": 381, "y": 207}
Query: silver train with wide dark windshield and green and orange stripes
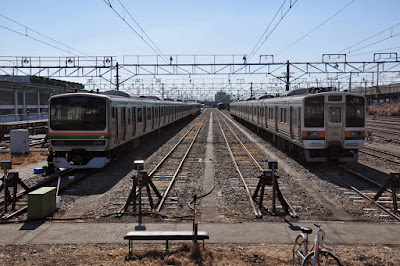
{"x": 87, "y": 130}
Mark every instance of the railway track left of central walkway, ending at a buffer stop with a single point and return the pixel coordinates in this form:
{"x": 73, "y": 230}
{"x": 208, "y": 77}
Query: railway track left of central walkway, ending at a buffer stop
{"x": 170, "y": 170}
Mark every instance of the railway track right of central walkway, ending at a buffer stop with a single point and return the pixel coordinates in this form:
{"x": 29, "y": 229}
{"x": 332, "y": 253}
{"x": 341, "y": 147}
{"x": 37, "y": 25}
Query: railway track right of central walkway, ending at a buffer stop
{"x": 245, "y": 162}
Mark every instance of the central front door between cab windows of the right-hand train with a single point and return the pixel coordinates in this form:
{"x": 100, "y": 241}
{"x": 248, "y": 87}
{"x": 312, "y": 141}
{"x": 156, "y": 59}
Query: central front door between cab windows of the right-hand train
{"x": 334, "y": 127}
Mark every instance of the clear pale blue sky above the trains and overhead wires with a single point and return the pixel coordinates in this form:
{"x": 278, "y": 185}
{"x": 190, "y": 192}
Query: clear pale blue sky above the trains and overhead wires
{"x": 301, "y": 33}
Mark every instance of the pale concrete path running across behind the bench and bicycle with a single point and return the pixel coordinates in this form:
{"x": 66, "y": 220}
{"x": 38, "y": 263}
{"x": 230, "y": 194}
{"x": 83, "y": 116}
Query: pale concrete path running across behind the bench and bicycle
{"x": 251, "y": 232}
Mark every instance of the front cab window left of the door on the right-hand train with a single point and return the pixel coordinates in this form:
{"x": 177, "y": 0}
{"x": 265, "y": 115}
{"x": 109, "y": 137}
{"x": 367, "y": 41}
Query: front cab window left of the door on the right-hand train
{"x": 314, "y": 111}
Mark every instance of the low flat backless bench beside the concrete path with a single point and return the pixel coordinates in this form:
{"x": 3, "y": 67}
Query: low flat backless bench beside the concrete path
{"x": 163, "y": 235}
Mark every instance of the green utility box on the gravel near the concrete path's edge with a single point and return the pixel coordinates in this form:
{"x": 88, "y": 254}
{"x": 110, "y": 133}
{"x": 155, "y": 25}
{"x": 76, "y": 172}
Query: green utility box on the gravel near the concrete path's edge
{"x": 41, "y": 202}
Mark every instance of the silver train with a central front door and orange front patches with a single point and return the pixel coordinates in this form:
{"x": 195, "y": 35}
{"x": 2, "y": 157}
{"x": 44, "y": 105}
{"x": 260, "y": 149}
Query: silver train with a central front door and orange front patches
{"x": 322, "y": 126}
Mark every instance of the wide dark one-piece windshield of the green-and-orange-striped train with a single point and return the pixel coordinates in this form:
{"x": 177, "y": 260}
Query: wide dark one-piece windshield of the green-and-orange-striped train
{"x": 78, "y": 113}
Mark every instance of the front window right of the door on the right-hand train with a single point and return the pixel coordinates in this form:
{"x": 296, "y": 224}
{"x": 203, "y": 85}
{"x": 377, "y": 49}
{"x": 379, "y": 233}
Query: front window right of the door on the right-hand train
{"x": 355, "y": 111}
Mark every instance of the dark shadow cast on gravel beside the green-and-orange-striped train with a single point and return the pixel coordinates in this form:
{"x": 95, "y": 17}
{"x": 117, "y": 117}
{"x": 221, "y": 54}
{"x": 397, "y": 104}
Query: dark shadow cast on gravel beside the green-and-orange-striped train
{"x": 115, "y": 171}
